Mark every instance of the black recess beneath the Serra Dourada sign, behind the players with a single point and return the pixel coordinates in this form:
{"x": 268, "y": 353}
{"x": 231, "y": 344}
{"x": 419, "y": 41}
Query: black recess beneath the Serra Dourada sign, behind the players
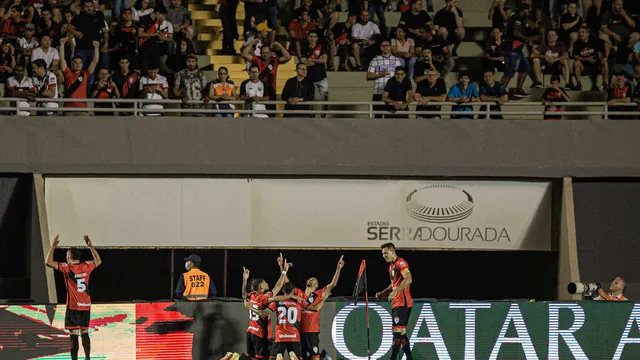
{"x": 146, "y": 274}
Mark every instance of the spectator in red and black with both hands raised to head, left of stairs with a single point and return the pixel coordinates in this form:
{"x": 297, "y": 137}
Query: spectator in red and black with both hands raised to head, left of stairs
{"x": 267, "y": 64}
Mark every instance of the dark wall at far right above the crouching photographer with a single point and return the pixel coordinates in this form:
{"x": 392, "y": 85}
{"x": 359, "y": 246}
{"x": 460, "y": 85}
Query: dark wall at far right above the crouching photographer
{"x": 608, "y": 231}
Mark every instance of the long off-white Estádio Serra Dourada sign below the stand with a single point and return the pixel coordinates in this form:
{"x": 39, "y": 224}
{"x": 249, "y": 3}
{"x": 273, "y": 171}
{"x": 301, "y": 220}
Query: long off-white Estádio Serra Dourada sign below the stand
{"x": 302, "y": 213}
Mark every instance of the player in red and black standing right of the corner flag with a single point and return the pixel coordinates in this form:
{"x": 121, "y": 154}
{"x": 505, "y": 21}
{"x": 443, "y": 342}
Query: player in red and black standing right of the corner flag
{"x": 400, "y": 297}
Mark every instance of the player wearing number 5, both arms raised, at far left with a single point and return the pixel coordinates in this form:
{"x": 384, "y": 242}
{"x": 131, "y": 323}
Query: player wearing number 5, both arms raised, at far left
{"x": 76, "y": 278}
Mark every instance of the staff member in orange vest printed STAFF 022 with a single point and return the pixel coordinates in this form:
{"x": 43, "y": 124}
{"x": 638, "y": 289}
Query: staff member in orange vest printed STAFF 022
{"x": 195, "y": 284}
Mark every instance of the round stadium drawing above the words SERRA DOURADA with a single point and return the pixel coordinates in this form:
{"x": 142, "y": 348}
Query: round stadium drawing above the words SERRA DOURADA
{"x": 439, "y": 204}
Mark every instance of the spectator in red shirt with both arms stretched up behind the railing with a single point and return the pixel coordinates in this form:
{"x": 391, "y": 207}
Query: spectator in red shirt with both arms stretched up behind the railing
{"x": 76, "y": 78}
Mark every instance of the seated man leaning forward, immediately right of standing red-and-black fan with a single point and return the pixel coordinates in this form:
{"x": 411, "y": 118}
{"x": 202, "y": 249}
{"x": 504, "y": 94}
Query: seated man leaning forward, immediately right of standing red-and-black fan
{"x": 551, "y": 57}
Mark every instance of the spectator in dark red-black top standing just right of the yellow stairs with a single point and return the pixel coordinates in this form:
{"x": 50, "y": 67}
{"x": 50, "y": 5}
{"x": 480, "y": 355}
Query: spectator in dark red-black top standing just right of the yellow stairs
{"x": 315, "y": 57}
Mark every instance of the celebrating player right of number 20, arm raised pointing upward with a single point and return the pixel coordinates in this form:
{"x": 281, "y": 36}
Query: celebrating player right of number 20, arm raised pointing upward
{"x": 310, "y": 322}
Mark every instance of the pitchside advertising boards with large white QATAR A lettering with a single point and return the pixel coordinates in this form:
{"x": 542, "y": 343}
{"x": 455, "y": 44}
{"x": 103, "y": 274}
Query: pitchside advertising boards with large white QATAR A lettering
{"x": 437, "y": 330}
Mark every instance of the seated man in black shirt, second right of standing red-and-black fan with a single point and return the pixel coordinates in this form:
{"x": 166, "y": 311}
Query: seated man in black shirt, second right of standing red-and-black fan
{"x": 586, "y": 61}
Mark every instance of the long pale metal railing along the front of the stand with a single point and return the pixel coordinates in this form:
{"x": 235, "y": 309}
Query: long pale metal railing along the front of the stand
{"x": 137, "y": 108}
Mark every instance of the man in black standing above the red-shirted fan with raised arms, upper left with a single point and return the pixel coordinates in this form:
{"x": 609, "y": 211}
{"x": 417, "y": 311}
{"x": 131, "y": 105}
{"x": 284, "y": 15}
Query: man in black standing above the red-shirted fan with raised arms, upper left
{"x": 87, "y": 27}
